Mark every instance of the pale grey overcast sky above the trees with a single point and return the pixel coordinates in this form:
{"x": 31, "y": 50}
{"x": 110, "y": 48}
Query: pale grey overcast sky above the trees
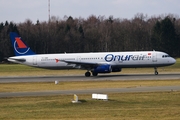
{"x": 20, "y": 10}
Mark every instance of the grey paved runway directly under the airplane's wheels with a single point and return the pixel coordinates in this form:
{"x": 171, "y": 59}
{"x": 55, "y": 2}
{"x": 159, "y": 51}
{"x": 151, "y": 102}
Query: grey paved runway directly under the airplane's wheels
{"x": 101, "y": 77}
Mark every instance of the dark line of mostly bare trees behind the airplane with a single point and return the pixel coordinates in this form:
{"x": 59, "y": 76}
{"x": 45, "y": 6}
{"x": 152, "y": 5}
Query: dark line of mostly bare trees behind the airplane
{"x": 96, "y": 34}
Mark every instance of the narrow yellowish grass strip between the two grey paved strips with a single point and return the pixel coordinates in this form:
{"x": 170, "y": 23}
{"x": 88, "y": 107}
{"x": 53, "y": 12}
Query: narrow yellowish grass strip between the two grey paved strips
{"x": 21, "y": 87}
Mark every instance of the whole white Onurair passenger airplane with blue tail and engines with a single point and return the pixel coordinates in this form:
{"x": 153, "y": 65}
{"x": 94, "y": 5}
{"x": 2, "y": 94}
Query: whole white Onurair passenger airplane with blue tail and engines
{"x": 94, "y": 63}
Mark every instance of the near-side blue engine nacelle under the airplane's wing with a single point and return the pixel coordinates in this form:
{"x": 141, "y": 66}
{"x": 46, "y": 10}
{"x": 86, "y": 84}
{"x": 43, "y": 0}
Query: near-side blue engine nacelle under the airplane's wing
{"x": 103, "y": 69}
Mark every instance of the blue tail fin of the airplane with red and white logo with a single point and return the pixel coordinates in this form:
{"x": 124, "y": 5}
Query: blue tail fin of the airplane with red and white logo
{"x": 20, "y": 48}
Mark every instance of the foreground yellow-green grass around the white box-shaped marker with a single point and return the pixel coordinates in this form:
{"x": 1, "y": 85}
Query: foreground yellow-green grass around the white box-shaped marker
{"x": 121, "y": 106}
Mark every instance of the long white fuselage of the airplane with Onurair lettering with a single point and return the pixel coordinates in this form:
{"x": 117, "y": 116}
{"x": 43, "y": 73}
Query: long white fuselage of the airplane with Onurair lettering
{"x": 117, "y": 59}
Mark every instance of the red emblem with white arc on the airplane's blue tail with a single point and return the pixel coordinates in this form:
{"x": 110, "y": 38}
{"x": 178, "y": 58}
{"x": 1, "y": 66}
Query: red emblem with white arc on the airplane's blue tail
{"x": 19, "y": 46}
